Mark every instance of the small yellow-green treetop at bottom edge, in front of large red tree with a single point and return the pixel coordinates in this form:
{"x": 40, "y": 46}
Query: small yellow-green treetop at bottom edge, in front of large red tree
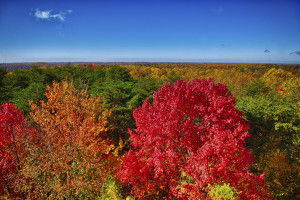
{"x": 222, "y": 192}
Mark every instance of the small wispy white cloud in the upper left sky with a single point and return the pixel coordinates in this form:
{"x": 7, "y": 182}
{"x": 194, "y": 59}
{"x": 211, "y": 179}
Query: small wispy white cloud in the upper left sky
{"x": 49, "y": 14}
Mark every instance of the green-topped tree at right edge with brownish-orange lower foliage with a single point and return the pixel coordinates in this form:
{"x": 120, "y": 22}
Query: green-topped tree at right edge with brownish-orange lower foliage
{"x": 275, "y": 127}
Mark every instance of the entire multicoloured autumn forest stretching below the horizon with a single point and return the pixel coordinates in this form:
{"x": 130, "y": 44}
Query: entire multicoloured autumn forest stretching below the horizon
{"x": 150, "y": 131}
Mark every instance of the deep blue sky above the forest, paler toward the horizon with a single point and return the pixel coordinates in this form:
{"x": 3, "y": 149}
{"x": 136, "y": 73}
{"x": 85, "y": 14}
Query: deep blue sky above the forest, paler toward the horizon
{"x": 265, "y": 31}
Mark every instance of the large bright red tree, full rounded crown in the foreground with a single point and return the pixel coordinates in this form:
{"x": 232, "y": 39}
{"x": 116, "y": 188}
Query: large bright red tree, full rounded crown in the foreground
{"x": 189, "y": 139}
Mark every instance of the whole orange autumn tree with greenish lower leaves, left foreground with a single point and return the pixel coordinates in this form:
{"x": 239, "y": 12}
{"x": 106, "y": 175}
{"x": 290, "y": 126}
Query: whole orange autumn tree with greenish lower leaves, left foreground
{"x": 74, "y": 157}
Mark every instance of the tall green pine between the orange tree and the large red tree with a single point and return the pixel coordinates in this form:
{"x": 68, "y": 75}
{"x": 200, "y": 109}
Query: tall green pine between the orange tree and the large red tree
{"x": 121, "y": 93}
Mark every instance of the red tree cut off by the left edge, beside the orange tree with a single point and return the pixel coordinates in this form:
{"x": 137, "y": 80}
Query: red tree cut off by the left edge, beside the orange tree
{"x": 14, "y": 133}
